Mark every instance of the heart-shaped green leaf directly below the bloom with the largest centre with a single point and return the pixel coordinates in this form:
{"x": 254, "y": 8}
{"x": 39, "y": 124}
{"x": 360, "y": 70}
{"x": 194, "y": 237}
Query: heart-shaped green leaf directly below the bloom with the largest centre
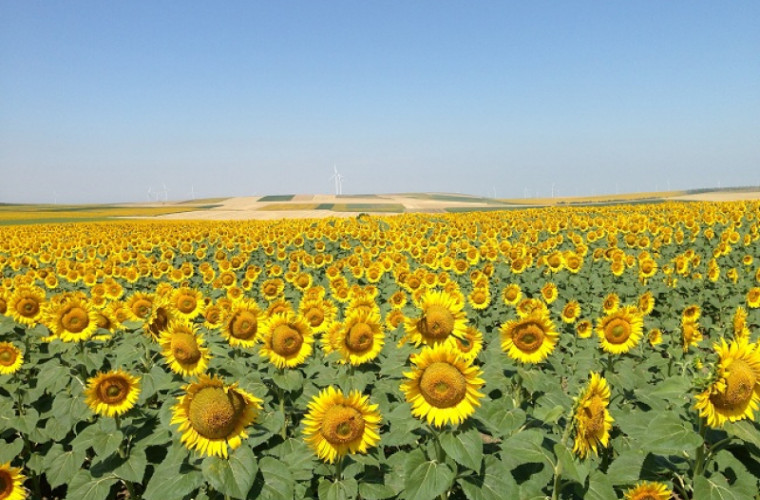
{"x": 234, "y": 476}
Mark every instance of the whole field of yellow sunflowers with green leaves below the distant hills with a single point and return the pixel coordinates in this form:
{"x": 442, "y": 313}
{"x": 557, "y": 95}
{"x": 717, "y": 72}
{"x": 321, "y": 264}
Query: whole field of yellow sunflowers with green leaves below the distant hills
{"x": 565, "y": 352}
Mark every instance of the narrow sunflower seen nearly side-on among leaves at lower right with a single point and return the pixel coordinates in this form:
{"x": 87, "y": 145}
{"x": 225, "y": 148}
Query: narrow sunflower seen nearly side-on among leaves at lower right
{"x": 592, "y": 420}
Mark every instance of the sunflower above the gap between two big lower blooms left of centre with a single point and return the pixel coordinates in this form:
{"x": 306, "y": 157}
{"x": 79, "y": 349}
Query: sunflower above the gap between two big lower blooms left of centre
{"x": 287, "y": 340}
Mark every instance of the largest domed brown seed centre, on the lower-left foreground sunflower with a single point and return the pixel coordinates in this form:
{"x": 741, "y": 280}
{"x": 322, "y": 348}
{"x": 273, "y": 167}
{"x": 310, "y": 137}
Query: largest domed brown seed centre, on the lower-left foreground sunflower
{"x": 214, "y": 413}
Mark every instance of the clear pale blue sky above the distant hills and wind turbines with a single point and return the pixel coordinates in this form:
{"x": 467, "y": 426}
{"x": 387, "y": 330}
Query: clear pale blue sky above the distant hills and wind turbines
{"x": 101, "y": 100}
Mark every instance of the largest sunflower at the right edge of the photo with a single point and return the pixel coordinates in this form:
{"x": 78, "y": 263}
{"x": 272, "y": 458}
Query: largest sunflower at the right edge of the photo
{"x": 735, "y": 392}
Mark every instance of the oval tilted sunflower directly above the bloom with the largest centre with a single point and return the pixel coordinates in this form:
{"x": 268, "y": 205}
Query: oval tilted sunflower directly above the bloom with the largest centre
{"x": 182, "y": 348}
